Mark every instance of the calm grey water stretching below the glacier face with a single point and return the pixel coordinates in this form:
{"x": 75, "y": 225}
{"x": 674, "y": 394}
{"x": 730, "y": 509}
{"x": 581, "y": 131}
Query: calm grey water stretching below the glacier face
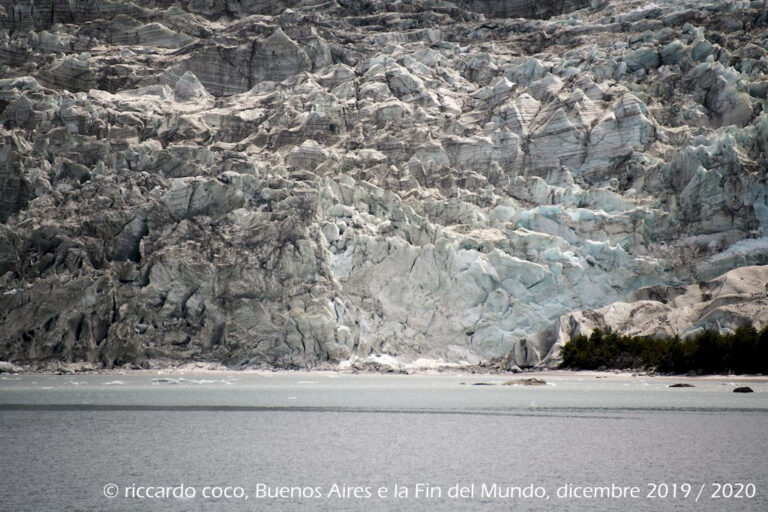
{"x": 63, "y": 439}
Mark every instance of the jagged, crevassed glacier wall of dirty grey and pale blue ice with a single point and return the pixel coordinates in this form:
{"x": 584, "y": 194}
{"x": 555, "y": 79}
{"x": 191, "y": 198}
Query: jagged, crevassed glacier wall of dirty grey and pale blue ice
{"x": 300, "y": 183}
